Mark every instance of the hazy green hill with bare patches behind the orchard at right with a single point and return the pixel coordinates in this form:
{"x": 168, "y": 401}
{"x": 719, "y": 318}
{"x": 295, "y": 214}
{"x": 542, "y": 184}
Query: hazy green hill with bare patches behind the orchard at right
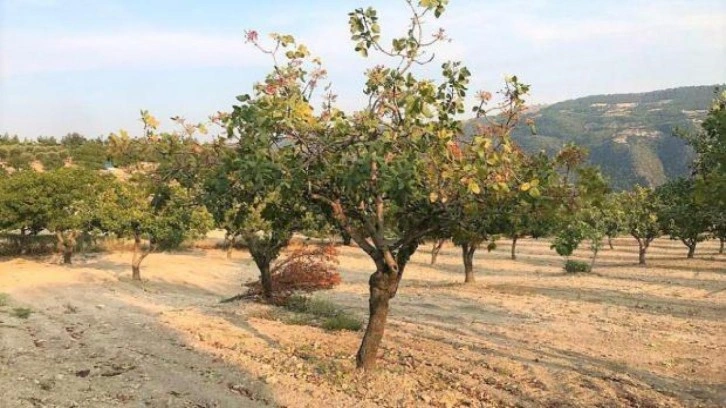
{"x": 629, "y": 136}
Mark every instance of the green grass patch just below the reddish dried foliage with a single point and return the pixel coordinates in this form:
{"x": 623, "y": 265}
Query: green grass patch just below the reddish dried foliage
{"x": 320, "y": 313}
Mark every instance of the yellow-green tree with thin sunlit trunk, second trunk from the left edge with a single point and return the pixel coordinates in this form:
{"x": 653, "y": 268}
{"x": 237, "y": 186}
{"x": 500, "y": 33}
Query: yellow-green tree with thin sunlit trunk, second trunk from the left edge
{"x": 160, "y": 204}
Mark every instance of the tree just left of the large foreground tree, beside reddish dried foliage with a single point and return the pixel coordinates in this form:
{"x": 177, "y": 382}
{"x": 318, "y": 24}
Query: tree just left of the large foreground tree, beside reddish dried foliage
{"x": 256, "y": 191}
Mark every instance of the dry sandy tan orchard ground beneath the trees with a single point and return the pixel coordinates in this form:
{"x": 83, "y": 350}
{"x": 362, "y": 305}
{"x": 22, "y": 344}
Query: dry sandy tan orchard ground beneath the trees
{"x": 524, "y": 335}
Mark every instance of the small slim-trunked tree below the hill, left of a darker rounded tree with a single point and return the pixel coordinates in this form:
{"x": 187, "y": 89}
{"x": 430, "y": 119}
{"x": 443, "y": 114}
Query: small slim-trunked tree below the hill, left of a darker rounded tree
{"x": 640, "y": 217}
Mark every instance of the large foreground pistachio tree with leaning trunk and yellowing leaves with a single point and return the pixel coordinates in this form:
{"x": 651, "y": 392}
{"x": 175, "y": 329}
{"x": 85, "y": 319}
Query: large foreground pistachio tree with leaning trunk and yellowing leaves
{"x": 387, "y": 173}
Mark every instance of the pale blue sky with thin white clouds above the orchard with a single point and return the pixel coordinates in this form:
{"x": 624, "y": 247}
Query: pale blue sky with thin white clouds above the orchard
{"x": 89, "y": 66}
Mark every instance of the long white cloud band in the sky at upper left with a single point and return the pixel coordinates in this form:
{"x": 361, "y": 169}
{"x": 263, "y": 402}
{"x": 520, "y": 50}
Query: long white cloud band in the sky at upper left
{"x": 30, "y": 53}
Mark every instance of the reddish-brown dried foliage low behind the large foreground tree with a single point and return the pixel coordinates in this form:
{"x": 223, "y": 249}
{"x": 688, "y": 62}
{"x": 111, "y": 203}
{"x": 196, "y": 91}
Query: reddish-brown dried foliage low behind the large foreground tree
{"x": 306, "y": 268}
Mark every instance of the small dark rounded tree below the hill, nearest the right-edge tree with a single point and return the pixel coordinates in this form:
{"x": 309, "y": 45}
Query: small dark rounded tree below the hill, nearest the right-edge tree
{"x": 682, "y": 216}
